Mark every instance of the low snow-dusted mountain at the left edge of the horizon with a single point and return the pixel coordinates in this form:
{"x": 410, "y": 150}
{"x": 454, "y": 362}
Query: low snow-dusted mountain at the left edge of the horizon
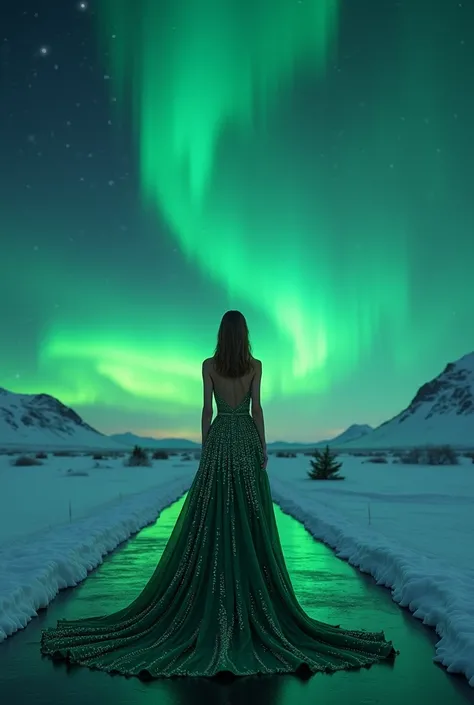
{"x": 41, "y": 421}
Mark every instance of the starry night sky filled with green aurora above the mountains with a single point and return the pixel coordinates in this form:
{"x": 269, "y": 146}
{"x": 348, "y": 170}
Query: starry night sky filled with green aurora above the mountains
{"x": 309, "y": 163}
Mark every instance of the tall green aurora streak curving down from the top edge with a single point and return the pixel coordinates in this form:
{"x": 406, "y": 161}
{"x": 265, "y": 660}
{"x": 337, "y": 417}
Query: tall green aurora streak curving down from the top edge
{"x": 206, "y": 81}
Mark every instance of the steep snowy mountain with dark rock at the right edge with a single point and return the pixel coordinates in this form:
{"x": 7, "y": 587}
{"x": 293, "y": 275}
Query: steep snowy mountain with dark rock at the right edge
{"x": 441, "y": 412}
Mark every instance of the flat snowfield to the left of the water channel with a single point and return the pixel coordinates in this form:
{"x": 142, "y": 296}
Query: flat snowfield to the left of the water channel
{"x": 42, "y": 551}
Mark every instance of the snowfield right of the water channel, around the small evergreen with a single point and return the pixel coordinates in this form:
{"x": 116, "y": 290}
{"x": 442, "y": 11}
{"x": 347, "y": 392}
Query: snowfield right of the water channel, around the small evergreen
{"x": 410, "y": 527}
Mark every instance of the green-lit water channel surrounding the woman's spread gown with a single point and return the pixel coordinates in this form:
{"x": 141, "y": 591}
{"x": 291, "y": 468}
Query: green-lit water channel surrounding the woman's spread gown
{"x": 328, "y": 589}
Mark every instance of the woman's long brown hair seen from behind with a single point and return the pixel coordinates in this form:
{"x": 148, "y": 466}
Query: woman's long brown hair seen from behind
{"x": 233, "y": 353}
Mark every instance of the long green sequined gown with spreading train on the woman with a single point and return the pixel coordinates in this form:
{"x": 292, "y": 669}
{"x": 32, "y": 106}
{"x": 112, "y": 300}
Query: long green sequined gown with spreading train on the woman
{"x": 220, "y": 598}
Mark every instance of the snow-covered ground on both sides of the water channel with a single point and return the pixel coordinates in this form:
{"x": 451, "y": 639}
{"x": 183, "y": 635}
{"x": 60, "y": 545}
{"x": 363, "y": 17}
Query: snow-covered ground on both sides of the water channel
{"x": 411, "y": 527}
